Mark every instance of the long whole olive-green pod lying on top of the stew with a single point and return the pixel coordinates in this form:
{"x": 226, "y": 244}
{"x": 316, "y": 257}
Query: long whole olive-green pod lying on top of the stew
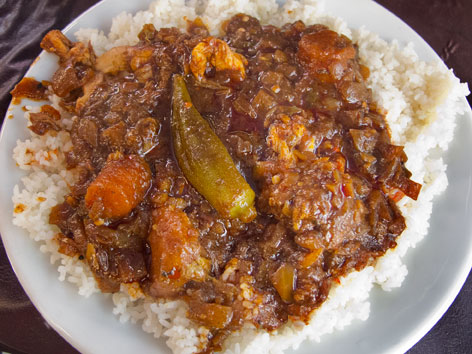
{"x": 205, "y": 161}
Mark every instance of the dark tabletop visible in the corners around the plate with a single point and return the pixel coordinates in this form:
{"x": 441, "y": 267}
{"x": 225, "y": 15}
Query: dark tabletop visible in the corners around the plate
{"x": 444, "y": 24}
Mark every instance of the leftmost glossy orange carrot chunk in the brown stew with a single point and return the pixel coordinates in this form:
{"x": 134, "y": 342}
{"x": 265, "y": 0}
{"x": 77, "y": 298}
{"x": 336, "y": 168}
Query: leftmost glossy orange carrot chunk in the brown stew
{"x": 119, "y": 187}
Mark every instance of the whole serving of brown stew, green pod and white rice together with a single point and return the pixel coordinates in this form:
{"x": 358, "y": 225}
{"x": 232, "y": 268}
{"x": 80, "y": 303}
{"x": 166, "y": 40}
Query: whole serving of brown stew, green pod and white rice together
{"x": 235, "y": 186}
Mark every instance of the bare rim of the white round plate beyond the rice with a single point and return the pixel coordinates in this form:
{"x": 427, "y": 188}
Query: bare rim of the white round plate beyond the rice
{"x": 438, "y": 267}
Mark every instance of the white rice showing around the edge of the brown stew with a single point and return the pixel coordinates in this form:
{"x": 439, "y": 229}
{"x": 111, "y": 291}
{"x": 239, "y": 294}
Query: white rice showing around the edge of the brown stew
{"x": 422, "y": 101}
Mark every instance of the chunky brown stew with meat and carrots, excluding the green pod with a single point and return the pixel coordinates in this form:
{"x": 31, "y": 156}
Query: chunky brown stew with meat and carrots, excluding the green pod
{"x": 293, "y": 110}
